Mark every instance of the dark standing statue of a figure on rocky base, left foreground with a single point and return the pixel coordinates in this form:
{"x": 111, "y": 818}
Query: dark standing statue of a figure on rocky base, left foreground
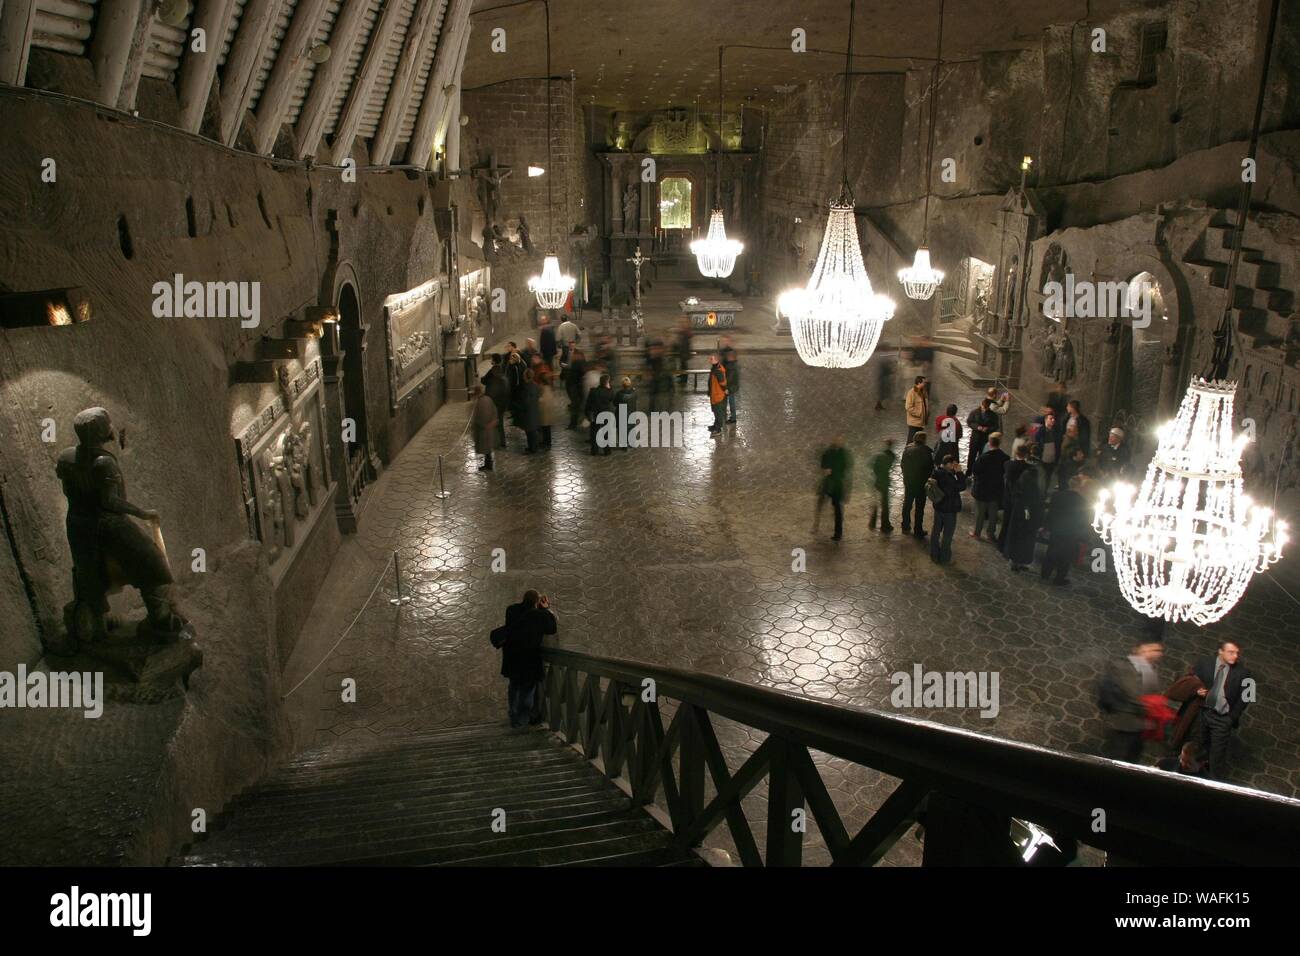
{"x": 110, "y": 548}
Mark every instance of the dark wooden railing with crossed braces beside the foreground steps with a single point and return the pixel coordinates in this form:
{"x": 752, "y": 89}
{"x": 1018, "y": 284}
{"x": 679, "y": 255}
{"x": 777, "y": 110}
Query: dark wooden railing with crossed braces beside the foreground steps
{"x": 1146, "y": 815}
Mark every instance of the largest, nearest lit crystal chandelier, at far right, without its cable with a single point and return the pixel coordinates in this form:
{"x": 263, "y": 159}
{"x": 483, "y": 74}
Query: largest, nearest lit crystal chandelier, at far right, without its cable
{"x": 1188, "y": 543}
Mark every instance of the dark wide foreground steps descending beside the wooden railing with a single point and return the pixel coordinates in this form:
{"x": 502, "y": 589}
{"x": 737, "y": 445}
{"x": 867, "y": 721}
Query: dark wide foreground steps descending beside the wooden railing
{"x": 432, "y": 801}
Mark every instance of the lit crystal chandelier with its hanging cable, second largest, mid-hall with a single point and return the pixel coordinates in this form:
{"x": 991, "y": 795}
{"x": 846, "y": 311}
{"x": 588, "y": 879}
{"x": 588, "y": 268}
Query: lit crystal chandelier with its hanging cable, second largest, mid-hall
{"x": 837, "y": 319}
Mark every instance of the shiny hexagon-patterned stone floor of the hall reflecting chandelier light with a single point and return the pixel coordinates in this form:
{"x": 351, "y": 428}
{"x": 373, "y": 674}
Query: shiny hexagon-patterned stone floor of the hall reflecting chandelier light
{"x": 684, "y": 557}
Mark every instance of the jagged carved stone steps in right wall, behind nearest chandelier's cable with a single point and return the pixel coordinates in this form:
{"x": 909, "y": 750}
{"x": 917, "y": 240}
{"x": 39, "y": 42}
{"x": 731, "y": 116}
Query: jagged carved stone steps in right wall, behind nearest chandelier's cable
{"x": 1263, "y": 302}
